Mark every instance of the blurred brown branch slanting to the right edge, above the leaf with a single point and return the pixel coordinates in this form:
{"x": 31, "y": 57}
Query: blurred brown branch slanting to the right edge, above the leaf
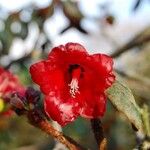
{"x": 137, "y": 41}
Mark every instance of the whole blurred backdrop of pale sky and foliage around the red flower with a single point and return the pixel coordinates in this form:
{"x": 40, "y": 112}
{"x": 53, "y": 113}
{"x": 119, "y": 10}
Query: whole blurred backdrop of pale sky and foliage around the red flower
{"x": 30, "y": 28}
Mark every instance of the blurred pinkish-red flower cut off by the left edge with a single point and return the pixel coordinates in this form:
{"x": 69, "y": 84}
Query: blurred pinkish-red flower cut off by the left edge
{"x": 9, "y": 83}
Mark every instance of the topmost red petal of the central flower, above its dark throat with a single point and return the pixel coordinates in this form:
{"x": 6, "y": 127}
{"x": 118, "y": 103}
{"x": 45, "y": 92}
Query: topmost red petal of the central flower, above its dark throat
{"x": 71, "y": 53}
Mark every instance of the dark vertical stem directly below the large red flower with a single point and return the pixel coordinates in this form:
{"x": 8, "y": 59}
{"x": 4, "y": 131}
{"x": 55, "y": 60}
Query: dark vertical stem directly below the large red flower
{"x": 99, "y": 134}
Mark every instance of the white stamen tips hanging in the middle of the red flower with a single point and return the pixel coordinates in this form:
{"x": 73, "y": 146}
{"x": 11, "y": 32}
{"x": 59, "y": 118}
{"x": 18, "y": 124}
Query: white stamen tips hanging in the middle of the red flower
{"x": 74, "y": 88}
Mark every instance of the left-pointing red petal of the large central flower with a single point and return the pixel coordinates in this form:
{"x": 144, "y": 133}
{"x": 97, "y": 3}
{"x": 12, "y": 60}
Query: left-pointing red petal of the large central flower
{"x": 47, "y": 76}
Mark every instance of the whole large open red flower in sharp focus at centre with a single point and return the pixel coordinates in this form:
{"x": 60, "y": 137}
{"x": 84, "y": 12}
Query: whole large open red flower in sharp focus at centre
{"x": 73, "y": 82}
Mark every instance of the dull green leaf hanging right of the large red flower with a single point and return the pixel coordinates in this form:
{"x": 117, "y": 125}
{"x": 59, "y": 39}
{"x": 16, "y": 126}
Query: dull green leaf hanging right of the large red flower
{"x": 122, "y": 98}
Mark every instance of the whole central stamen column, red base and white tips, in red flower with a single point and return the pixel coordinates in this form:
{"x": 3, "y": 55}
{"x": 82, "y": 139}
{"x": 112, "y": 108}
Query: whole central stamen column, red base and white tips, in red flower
{"x": 74, "y": 88}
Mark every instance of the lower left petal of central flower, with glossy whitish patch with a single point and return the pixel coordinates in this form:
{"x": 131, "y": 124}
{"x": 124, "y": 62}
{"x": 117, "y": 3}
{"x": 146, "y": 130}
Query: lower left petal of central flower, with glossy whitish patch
{"x": 63, "y": 113}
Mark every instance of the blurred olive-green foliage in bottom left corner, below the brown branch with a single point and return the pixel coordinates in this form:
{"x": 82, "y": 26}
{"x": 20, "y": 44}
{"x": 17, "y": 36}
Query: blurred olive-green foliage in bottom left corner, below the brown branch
{"x": 16, "y": 132}
